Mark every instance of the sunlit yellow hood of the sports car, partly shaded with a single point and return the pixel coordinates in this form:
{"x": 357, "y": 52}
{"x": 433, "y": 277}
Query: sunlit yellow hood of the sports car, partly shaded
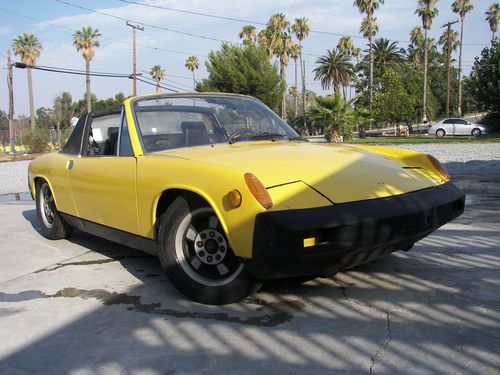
{"x": 340, "y": 173}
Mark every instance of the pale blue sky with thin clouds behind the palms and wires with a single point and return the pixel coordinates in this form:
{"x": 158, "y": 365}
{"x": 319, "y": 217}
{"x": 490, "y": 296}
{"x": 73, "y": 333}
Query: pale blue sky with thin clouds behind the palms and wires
{"x": 53, "y": 22}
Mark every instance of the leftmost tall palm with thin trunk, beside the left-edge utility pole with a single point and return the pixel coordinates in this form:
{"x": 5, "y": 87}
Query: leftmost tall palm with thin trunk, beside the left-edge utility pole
{"x": 28, "y": 47}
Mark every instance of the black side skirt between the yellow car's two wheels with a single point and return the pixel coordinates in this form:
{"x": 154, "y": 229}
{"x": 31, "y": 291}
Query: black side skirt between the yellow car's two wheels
{"x": 124, "y": 238}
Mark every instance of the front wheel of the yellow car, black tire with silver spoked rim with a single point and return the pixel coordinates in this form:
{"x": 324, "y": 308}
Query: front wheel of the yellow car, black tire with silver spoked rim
{"x": 195, "y": 255}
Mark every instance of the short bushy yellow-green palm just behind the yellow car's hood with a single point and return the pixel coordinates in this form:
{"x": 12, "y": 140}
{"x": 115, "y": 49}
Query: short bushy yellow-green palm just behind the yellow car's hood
{"x": 335, "y": 114}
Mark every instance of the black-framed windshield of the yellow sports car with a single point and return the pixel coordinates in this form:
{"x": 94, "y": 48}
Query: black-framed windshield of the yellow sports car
{"x": 185, "y": 121}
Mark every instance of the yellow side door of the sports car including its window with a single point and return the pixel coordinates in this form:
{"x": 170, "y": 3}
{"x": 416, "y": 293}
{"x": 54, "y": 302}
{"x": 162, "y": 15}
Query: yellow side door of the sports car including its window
{"x": 103, "y": 176}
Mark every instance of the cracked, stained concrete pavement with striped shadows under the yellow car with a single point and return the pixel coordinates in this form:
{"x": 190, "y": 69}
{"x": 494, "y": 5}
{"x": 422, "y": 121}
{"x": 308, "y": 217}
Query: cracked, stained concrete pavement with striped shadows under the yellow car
{"x": 88, "y": 306}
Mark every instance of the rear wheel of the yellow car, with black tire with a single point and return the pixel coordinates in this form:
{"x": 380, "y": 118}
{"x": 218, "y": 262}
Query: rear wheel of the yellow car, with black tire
{"x": 53, "y": 225}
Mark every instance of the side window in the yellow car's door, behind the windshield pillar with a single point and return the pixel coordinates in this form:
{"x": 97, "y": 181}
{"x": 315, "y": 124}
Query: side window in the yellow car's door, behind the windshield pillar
{"x": 103, "y": 136}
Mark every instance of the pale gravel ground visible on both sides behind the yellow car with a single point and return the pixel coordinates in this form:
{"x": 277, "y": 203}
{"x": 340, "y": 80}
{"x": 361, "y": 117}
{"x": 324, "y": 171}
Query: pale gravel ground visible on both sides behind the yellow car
{"x": 458, "y": 158}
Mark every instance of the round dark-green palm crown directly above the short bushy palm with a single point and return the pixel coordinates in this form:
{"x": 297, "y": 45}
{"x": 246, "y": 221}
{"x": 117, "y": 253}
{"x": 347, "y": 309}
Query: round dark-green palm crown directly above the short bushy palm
{"x": 335, "y": 69}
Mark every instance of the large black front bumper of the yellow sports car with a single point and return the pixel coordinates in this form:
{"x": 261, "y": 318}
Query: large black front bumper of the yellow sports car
{"x": 348, "y": 234}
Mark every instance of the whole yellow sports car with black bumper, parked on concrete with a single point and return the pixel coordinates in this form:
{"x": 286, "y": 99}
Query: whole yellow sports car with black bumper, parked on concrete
{"x": 227, "y": 195}
